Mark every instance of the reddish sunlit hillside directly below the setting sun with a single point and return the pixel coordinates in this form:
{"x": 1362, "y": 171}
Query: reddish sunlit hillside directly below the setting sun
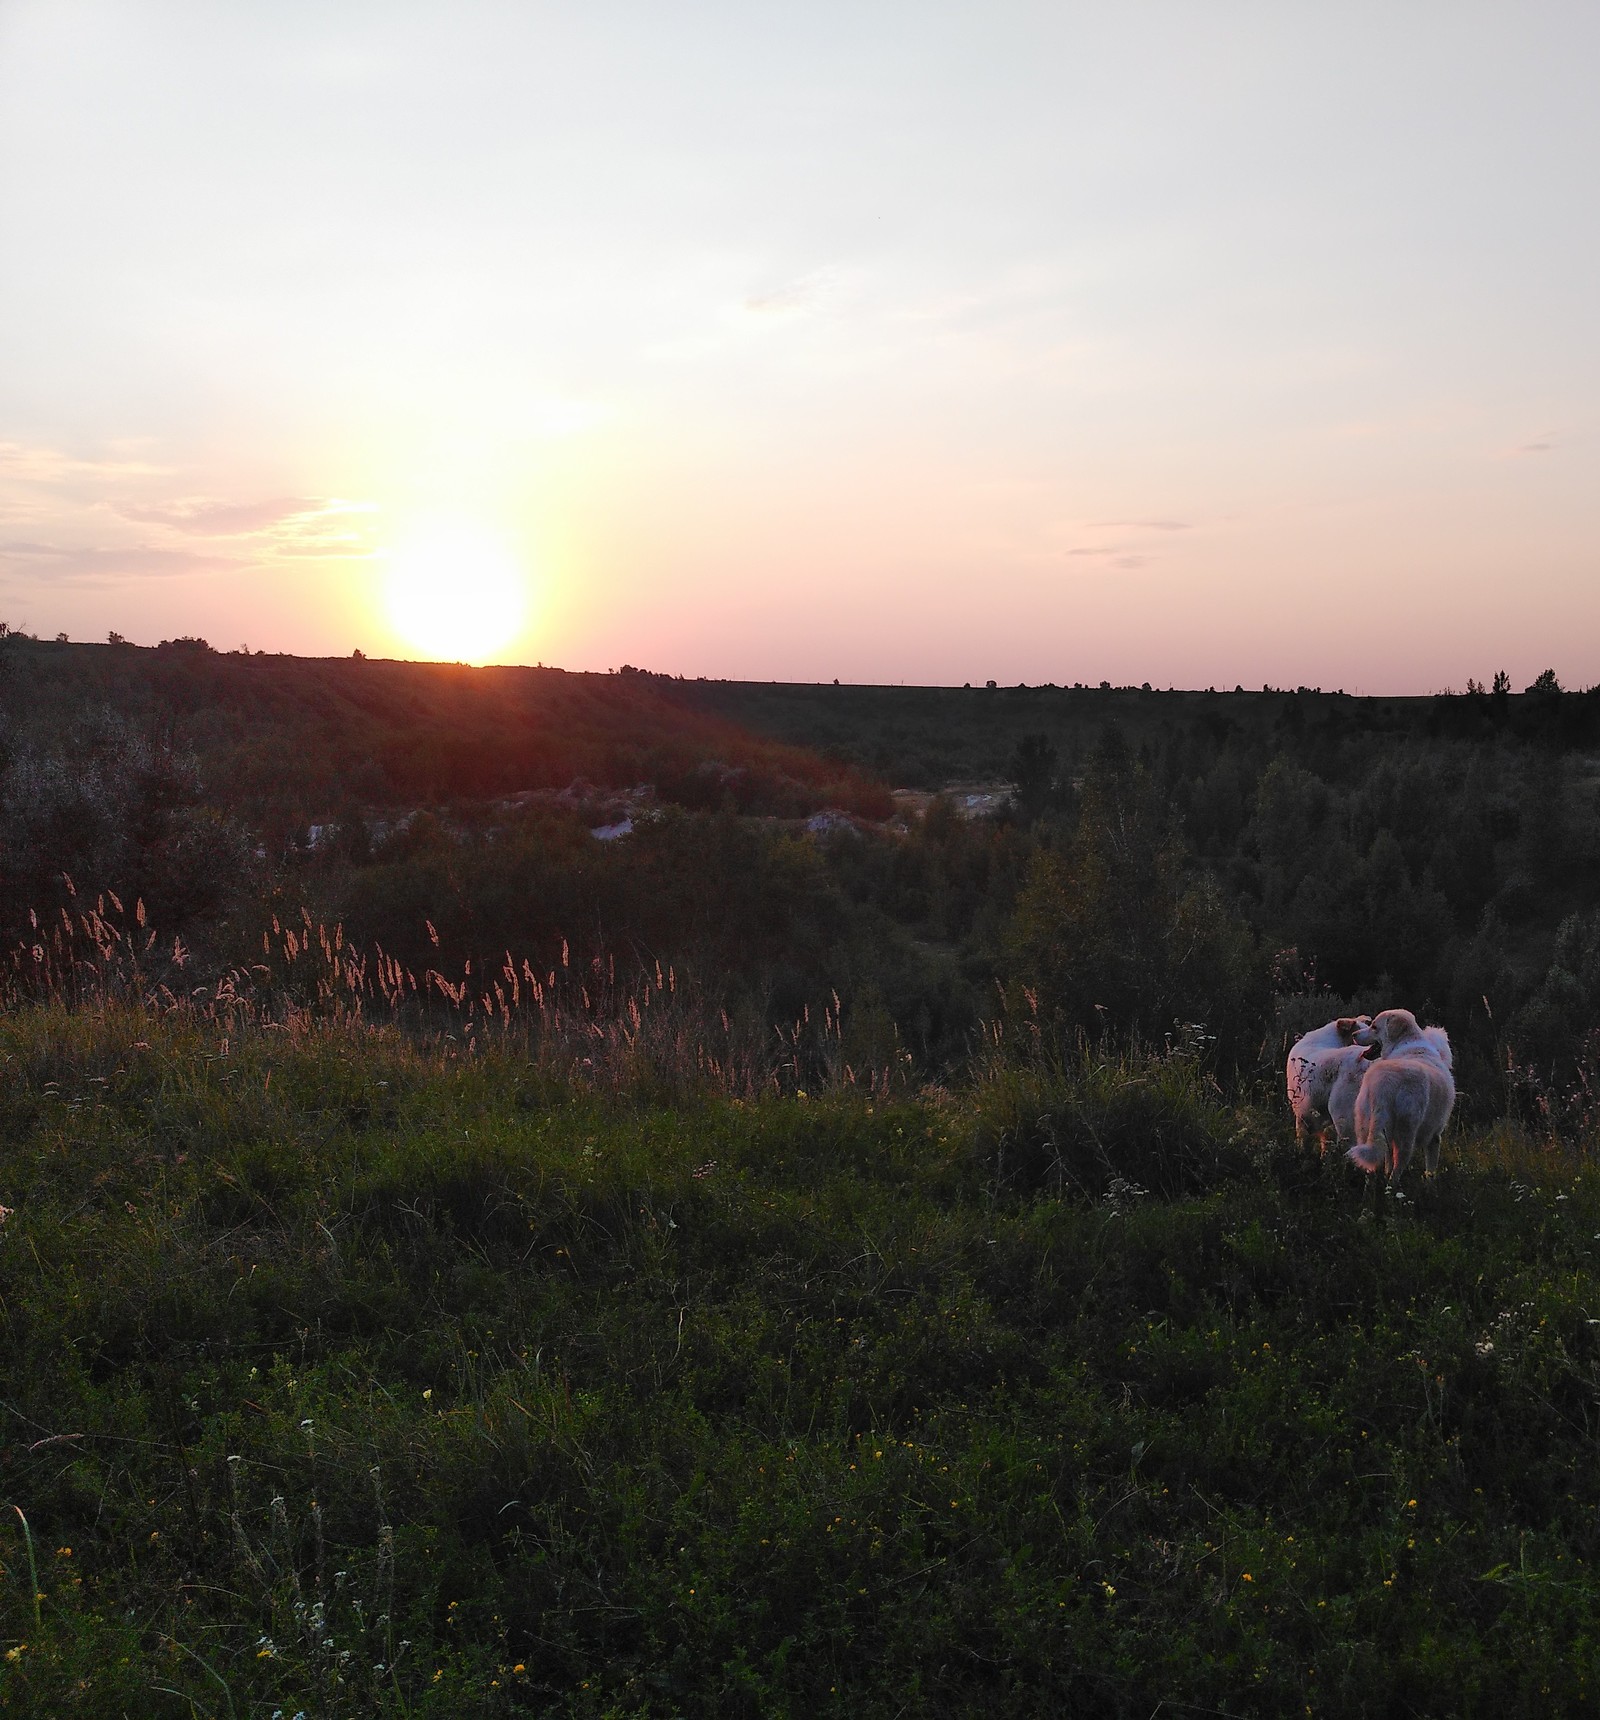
{"x": 292, "y": 739}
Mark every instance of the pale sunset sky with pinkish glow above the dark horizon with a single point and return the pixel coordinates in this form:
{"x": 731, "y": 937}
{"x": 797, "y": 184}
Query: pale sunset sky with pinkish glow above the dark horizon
{"x": 1179, "y": 341}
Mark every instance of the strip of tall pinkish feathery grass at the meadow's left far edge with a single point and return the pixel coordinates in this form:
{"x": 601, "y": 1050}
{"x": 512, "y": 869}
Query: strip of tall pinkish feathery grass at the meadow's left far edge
{"x": 639, "y": 1028}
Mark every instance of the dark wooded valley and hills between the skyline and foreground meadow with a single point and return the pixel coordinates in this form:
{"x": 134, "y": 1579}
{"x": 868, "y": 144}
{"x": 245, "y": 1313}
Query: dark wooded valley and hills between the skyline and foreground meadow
{"x": 1222, "y": 866}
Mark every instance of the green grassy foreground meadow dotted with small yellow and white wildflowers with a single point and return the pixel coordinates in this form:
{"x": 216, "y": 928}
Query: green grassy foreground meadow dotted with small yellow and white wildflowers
{"x": 352, "y": 1375}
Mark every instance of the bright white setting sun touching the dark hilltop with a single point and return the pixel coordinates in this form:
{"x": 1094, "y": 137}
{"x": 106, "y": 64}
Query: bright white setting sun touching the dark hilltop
{"x": 457, "y": 594}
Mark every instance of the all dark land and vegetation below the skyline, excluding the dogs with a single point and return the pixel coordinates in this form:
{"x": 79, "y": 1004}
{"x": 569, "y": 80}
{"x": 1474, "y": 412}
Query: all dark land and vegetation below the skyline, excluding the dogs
{"x": 453, "y": 1265}
